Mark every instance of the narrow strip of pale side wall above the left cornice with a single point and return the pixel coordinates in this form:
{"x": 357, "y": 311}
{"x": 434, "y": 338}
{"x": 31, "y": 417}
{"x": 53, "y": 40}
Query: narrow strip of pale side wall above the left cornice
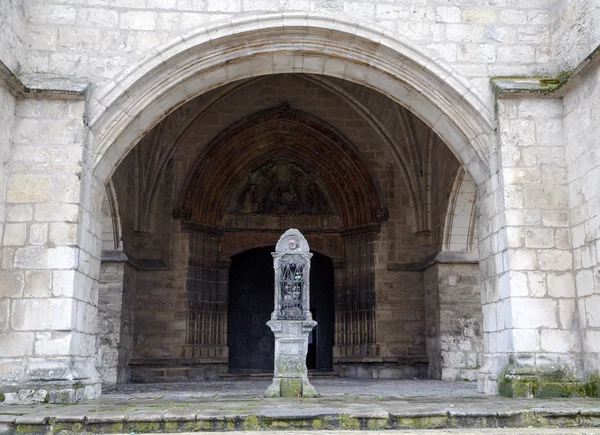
{"x": 13, "y": 34}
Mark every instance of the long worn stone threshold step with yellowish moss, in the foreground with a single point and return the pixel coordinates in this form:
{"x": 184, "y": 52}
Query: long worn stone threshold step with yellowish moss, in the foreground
{"x": 304, "y": 414}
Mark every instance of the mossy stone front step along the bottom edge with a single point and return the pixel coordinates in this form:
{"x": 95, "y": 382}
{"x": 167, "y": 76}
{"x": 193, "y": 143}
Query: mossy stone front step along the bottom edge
{"x": 172, "y": 420}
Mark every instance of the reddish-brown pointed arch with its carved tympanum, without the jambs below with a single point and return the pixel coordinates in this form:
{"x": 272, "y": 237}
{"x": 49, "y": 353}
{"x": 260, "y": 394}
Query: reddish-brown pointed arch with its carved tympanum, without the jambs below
{"x": 252, "y": 152}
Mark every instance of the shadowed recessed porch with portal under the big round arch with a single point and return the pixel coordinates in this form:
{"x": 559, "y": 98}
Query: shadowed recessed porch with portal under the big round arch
{"x": 349, "y": 168}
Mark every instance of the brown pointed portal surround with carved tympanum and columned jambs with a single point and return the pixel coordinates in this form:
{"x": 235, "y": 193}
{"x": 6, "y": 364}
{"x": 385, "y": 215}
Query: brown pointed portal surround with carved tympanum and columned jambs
{"x": 260, "y": 165}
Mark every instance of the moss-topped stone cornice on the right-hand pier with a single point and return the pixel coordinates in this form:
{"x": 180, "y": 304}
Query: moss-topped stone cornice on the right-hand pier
{"x": 552, "y": 87}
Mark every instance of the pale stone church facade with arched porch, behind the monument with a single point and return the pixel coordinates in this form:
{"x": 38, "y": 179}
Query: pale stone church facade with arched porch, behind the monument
{"x": 441, "y": 158}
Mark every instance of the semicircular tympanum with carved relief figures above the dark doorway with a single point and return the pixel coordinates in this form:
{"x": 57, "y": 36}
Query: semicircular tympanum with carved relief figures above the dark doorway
{"x": 282, "y": 187}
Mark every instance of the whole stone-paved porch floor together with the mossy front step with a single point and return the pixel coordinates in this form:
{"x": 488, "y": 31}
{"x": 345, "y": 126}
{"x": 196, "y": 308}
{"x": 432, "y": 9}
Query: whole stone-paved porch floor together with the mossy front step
{"x": 237, "y": 405}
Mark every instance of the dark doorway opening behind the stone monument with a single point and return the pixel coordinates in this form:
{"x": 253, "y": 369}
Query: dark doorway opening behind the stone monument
{"x": 250, "y": 303}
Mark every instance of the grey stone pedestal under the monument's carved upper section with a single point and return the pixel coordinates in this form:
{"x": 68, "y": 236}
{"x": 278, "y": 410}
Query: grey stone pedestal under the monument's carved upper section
{"x": 290, "y": 378}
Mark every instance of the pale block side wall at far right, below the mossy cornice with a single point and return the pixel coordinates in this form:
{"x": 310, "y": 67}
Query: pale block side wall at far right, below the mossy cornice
{"x": 581, "y": 131}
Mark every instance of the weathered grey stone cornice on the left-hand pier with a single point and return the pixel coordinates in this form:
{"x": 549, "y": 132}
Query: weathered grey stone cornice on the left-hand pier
{"x": 43, "y": 85}
